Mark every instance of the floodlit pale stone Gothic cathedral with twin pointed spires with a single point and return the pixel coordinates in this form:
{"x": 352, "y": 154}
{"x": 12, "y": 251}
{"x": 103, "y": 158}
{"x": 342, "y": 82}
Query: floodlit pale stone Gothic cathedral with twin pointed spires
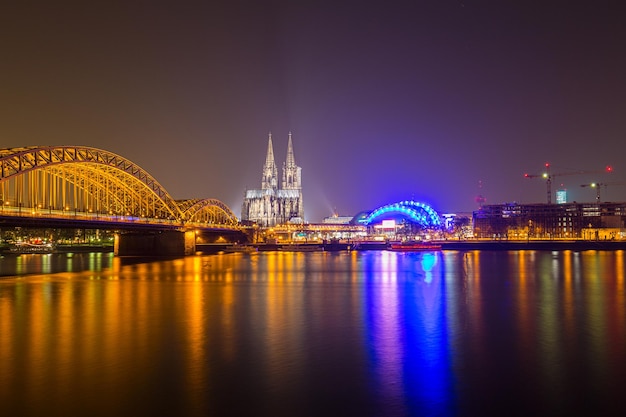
{"x": 272, "y": 205}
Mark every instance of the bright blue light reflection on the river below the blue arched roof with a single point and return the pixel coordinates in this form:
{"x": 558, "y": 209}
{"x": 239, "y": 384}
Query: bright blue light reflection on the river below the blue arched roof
{"x": 407, "y": 333}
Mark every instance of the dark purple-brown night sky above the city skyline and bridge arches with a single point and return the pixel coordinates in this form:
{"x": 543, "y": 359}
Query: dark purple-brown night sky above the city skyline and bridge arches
{"x": 435, "y": 100}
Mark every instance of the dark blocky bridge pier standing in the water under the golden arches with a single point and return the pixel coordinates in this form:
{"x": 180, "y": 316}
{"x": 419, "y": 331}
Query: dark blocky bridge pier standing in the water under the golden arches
{"x": 162, "y": 243}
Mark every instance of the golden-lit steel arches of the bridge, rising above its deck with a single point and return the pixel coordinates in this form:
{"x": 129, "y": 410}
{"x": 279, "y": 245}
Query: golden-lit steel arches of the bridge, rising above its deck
{"x": 71, "y": 179}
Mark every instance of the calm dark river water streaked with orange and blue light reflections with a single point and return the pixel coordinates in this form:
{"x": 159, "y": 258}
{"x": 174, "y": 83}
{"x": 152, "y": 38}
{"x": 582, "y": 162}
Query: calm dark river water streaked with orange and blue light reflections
{"x": 372, "y": 333}
